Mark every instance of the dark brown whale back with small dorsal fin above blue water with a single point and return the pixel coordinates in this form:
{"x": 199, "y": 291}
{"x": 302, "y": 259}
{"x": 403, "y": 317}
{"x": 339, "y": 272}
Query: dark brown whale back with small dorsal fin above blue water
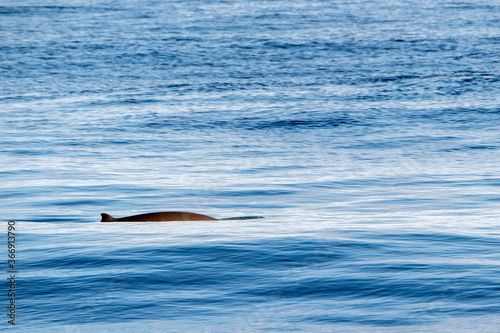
{"x": 158, "y": 217}
